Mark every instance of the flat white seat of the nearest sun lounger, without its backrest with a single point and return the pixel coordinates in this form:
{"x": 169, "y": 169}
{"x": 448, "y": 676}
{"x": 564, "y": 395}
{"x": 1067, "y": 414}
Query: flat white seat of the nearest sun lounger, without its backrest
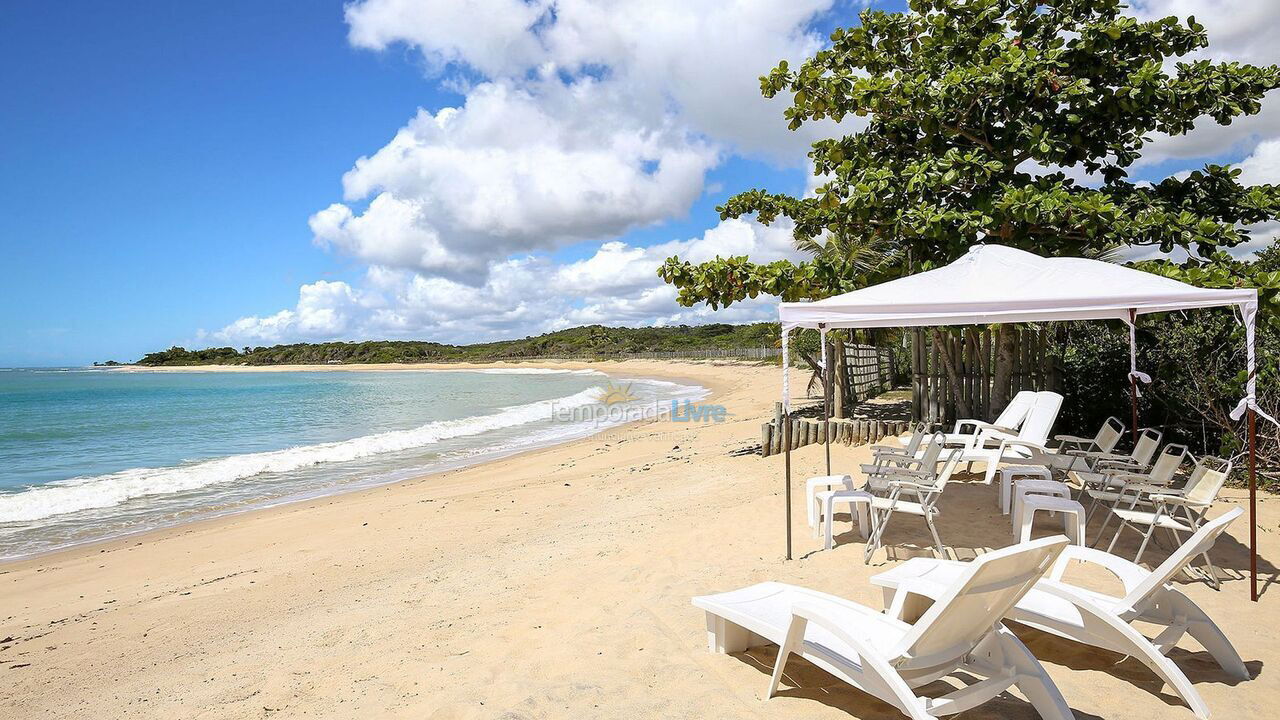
{"x": 765, "y": 609}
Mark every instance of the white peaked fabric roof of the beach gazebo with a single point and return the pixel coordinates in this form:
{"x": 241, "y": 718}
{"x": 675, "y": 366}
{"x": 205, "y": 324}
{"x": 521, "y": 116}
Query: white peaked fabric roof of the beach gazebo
{"x": 994, "y": 284}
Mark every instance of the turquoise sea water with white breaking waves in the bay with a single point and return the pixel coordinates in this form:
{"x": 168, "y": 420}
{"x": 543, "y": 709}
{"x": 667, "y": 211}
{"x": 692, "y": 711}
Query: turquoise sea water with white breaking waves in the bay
{"x": 94, "y": 454}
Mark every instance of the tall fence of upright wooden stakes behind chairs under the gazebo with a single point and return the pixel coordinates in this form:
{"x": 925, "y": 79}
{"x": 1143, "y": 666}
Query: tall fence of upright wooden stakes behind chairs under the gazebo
{"x": 936, "y": 394}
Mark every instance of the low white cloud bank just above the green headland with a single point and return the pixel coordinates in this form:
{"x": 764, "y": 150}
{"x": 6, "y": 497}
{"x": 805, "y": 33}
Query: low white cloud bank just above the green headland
{"x": 618, "y": 285}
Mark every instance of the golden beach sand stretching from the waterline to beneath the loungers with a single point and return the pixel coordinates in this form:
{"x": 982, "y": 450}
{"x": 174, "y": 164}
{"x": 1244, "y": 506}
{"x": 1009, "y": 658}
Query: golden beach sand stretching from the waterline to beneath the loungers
{"x": 548, "y": 585}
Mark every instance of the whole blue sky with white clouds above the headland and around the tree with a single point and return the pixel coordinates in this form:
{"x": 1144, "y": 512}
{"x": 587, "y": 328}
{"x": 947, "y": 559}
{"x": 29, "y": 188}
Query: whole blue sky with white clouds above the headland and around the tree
{"x": 250, "y": 174}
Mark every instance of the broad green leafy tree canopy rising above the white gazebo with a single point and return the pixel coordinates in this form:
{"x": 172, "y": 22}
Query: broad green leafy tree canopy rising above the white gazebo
{"x": 979, "y": 122}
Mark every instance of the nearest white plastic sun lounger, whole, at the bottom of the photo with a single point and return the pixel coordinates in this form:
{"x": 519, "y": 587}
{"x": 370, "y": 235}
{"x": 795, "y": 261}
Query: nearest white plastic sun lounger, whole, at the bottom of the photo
{"x": 885, "y": 657}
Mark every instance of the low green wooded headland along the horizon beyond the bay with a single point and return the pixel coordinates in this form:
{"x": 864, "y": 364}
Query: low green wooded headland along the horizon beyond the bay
{"x": 591, "y": 340}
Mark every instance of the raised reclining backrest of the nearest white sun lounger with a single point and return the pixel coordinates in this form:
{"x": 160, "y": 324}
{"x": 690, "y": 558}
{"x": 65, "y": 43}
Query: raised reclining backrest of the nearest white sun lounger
{"x": 979, "y": 600}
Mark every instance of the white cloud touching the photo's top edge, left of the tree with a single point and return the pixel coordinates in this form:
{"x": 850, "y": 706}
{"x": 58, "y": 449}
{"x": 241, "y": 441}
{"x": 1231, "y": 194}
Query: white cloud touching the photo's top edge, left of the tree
{"x": 697, "y": 60}
